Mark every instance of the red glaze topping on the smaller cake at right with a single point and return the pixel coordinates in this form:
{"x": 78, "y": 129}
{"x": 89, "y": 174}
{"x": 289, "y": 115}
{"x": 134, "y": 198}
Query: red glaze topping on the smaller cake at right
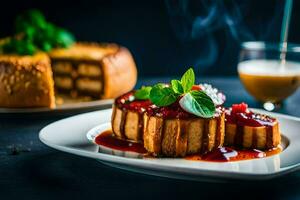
{"x": 240, "y": 115}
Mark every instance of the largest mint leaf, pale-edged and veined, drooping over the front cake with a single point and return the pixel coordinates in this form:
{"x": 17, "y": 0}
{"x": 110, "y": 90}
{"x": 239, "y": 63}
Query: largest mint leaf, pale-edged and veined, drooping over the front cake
{"x": 198, "y": 103}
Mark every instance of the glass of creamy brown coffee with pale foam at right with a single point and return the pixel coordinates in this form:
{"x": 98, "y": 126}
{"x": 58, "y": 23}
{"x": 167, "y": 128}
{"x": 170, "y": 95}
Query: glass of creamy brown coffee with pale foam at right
{"x": 267, "y": 78}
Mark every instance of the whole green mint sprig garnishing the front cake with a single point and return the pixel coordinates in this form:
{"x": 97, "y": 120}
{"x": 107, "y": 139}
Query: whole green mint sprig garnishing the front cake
{"x": 196, "y": 102}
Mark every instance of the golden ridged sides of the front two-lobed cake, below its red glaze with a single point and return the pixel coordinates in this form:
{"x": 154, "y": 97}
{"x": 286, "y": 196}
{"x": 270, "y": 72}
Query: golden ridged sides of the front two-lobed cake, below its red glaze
{"x": 169, "y": 137}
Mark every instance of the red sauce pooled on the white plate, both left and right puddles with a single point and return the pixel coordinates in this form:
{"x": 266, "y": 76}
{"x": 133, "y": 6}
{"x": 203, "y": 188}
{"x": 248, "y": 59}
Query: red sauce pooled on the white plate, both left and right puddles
{"x": 222, "y": 154}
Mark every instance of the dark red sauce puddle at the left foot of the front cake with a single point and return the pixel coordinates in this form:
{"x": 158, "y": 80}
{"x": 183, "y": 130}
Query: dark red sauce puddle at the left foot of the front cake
{"x": 107, "y": 139}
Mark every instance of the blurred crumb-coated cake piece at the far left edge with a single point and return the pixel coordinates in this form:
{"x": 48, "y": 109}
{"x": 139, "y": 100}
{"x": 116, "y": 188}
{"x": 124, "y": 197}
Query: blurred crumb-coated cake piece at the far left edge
{"x": 26, "y": 81}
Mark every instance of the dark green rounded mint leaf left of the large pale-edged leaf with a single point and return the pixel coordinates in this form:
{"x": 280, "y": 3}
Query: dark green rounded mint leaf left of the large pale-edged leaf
{"x": 162, "y": 95}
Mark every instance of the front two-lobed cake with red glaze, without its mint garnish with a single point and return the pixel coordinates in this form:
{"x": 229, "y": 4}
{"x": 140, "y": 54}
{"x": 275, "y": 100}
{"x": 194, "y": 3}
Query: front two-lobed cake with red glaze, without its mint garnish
{"x": 168, "y": 131}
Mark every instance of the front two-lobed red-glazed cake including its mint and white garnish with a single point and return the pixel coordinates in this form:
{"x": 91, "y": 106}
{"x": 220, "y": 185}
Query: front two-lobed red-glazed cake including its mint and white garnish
{"x": 163, "y": 119}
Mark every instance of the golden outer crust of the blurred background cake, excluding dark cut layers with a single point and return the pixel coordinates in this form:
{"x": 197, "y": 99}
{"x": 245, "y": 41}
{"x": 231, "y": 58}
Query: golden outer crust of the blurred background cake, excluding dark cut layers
{"x": 119, "y": 73}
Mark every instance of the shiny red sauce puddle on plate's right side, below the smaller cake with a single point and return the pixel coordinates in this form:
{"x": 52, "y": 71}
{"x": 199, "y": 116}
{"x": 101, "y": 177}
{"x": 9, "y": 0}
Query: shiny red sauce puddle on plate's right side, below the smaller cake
{"x": 226, "y": 154}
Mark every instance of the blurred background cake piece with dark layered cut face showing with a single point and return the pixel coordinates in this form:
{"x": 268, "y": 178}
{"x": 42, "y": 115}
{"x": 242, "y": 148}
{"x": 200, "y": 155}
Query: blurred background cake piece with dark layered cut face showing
{"x": 93, "y": 70}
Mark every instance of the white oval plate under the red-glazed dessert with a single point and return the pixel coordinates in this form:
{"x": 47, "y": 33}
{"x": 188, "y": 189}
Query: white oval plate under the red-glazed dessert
{"x": 70, "y": 135}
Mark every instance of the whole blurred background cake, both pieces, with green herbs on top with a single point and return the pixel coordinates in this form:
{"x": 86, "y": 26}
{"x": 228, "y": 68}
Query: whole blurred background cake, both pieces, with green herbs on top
{"x": 41, "y": 60}
